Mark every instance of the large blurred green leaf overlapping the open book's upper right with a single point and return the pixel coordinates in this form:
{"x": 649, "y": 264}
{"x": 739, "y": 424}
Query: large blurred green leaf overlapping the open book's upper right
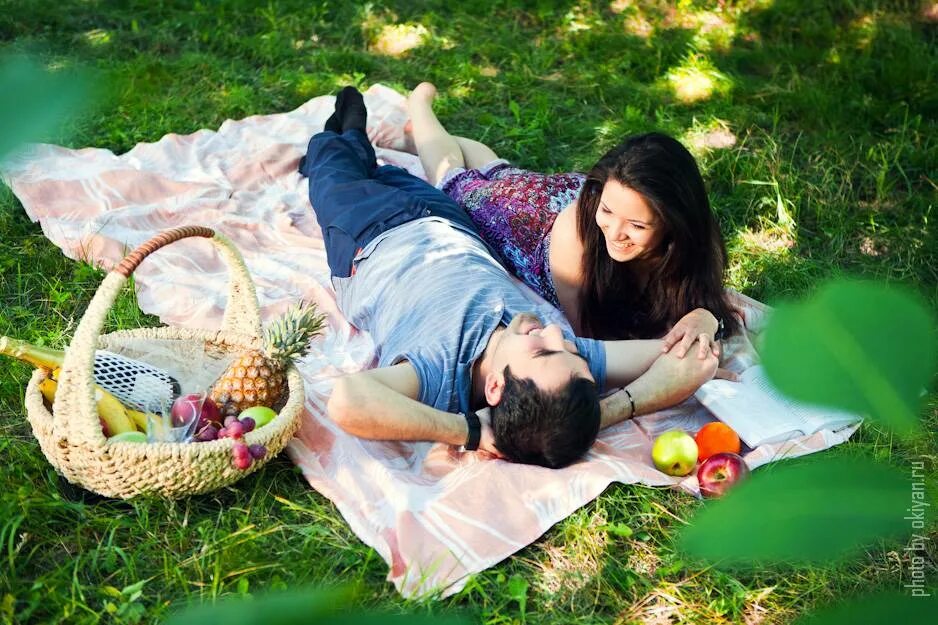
{"x": 861, "y": 346}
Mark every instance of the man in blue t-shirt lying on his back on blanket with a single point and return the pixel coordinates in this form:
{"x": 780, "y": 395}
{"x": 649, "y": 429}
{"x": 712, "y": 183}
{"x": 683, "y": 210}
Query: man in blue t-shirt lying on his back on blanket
{"x": 454, "y": 332}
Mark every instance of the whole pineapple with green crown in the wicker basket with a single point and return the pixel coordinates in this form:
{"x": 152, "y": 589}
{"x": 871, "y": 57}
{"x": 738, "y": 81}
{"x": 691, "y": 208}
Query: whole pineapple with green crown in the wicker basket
{"x": 258, "y": 378}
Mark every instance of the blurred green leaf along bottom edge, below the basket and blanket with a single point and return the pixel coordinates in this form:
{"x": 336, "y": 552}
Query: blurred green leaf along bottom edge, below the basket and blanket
{"x": 316, "y": 606}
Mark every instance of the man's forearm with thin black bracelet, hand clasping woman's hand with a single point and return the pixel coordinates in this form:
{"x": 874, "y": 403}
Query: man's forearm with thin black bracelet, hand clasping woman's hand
{"x": 667, "y": 382}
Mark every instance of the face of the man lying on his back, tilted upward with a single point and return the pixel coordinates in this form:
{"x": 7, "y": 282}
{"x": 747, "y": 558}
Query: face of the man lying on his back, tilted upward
{"x": 537, "y": 352}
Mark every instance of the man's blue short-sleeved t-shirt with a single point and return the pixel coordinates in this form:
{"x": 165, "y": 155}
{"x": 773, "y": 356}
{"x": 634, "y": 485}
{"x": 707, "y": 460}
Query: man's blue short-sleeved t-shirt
{"x": 431, "y": 294}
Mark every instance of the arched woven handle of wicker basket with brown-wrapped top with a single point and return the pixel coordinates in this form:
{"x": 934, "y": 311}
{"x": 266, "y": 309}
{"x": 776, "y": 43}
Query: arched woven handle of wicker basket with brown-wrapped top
{"x": 75, "y": 411}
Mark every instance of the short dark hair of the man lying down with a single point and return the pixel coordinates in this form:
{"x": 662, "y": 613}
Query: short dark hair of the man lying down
{"x": 549, "y": 428}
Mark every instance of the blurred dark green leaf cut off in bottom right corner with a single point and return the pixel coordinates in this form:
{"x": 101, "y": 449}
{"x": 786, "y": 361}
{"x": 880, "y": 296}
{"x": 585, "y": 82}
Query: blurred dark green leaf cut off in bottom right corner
{"x": 890, "y": 607}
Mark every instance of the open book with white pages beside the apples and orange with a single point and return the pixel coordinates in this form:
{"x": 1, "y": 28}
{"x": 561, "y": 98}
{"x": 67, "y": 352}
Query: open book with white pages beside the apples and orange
{"x": 760, "y": 414}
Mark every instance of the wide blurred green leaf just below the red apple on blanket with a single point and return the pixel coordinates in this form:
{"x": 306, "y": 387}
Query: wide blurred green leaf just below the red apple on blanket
{"x": 806, "y": 511}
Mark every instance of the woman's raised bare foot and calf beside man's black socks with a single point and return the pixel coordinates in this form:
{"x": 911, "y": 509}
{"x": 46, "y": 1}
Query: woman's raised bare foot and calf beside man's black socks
{"x": 438, "y": 150}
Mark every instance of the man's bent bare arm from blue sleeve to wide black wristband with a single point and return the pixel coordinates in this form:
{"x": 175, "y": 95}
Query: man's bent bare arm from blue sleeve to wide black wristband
{"x": 380, "y": 404}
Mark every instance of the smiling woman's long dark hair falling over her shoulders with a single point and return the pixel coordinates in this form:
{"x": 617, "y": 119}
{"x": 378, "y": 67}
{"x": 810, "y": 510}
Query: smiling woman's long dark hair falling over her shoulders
{"x": 684, "y": 271}
